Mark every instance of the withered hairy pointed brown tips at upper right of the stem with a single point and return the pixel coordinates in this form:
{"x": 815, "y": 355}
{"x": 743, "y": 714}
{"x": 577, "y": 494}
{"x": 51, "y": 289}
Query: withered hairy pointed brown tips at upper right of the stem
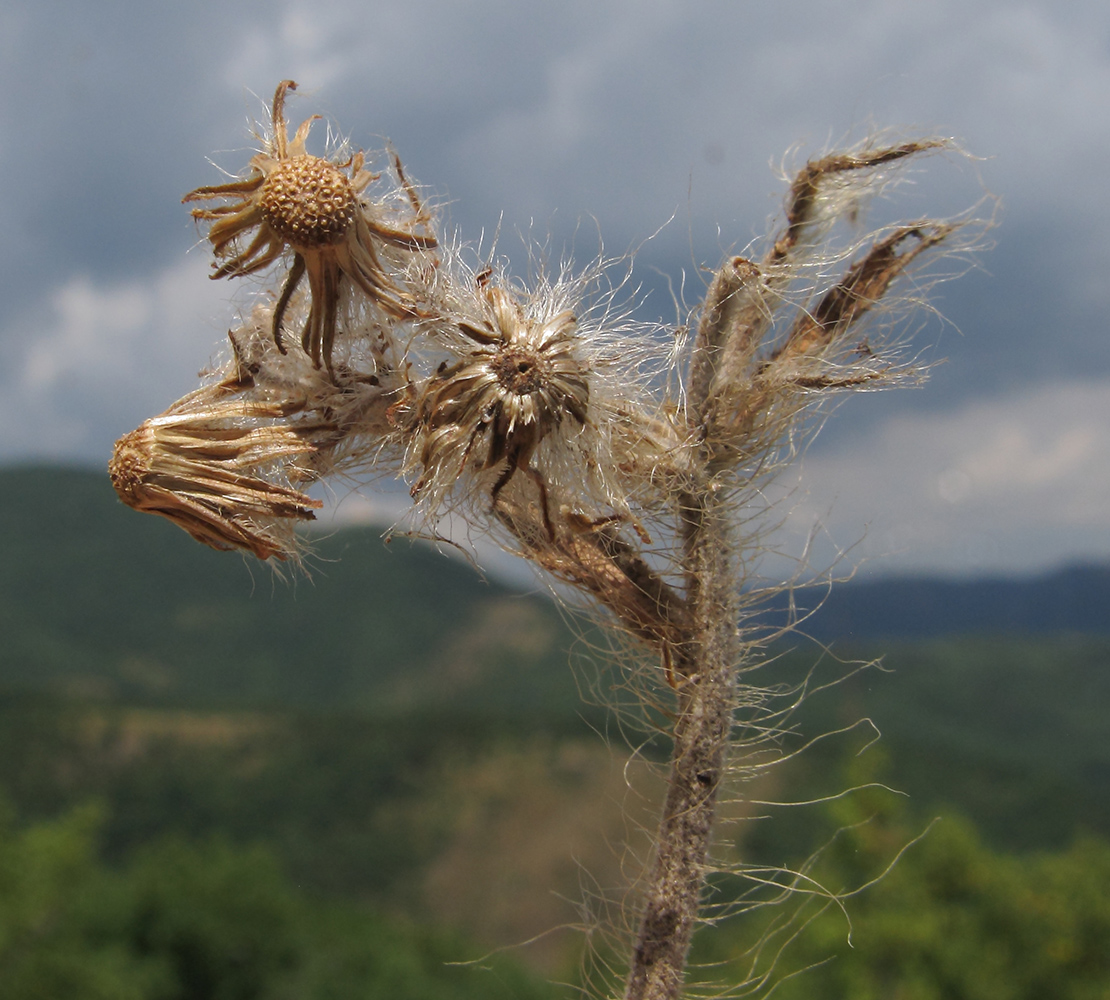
{"x": 746, "y": 392}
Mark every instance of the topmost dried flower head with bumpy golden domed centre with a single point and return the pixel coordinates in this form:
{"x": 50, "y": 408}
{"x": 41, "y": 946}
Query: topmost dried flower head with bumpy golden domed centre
{"x": 315, "y": 208}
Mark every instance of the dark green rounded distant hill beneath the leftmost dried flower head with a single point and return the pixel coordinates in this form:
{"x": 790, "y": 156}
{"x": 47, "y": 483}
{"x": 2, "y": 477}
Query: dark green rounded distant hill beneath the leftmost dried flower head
{"x": 102, "y": 603}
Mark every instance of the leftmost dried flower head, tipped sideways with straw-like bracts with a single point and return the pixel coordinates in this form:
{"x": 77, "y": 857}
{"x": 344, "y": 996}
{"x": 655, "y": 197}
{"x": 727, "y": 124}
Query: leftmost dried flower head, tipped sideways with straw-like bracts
{"x": 229, "y": 462}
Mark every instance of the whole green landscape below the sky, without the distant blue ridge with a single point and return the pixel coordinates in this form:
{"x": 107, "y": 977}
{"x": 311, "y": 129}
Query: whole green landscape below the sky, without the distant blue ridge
{"x": 398, "y": 745}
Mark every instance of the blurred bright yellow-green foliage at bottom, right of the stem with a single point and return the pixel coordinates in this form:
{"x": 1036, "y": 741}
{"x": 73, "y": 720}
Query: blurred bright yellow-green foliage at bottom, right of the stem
{"x": 953, "y": 921}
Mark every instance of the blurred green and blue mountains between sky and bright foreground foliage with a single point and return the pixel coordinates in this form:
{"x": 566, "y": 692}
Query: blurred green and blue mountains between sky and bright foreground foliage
{"x": 378, "y": 723}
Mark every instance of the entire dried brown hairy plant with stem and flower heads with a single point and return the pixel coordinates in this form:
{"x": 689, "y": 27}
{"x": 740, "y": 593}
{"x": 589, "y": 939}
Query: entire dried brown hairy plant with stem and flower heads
{"x": 627, "y": 462}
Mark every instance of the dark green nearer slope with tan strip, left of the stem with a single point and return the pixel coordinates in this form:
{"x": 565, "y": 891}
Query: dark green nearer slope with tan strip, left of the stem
{"x": 344, "y": 800}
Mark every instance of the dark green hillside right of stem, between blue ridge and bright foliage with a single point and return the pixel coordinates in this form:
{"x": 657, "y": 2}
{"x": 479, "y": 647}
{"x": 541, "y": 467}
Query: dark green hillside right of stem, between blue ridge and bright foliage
{"x": 1011, "y": 732}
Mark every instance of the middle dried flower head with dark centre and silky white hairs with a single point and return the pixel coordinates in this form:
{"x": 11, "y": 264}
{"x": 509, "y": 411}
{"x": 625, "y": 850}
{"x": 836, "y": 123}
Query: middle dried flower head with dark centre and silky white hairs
{"x": 586, "y": 413}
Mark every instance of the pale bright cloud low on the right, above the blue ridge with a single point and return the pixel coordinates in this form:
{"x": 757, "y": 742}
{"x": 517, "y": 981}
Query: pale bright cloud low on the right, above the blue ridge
{"x": 1012, "y": 484}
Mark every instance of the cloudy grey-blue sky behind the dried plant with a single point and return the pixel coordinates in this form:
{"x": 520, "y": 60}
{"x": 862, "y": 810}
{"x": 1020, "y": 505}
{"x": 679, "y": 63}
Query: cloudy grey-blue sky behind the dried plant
{"x": 581, "y": 118}
